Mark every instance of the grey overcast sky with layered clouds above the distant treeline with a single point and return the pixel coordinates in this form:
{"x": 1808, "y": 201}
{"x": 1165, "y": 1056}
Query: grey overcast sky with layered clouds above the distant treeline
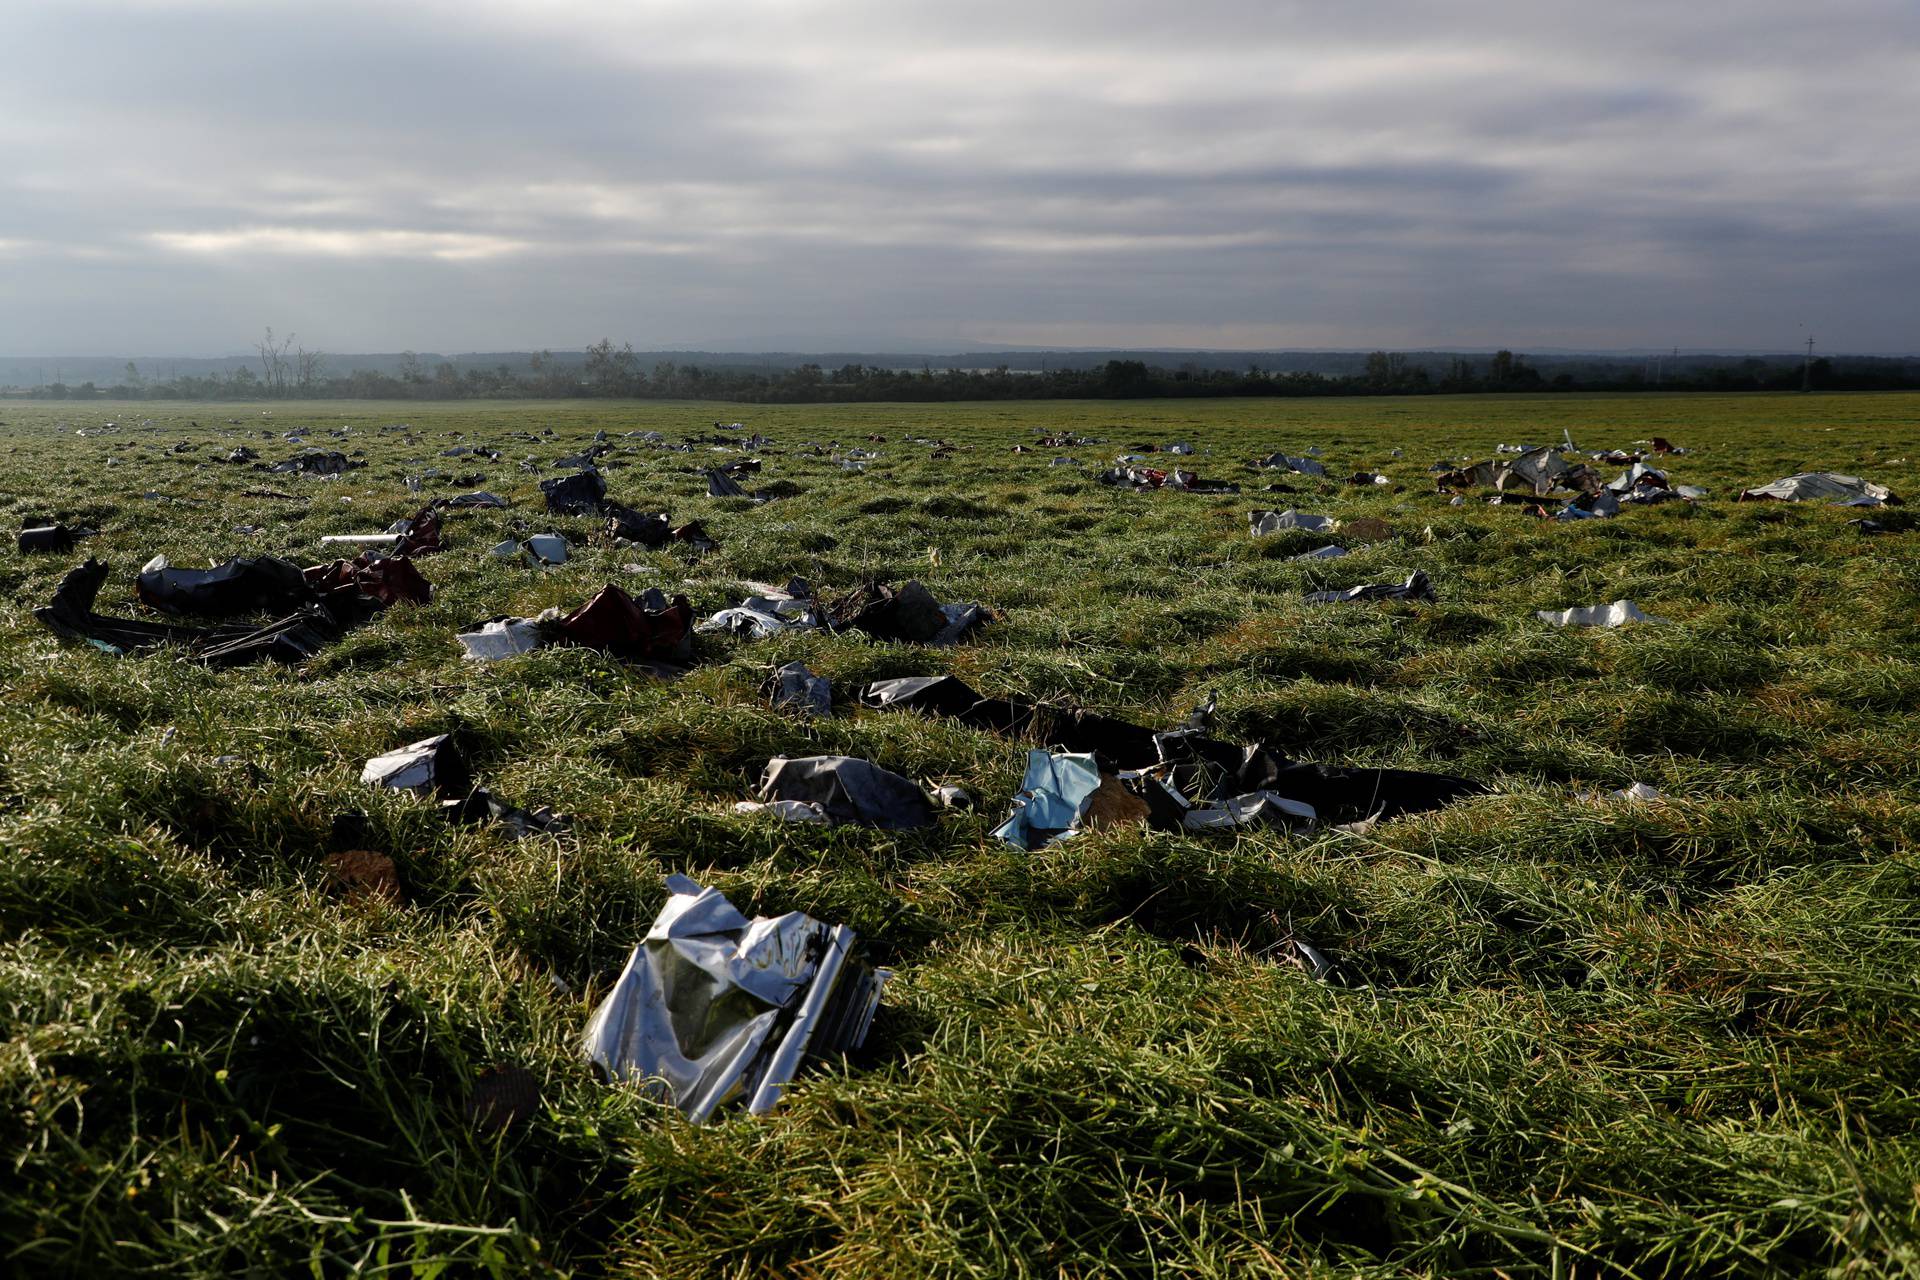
{"x": 896, "y": 176}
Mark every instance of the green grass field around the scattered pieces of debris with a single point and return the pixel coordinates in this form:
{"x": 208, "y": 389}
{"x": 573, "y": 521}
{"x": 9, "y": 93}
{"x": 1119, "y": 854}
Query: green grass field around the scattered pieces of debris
{"x": 1579, "y": 1037}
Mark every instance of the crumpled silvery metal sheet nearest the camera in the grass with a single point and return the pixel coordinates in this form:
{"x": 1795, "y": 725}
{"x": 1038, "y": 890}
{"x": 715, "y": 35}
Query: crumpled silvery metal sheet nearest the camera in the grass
{"x": 713, "y": 1007}
